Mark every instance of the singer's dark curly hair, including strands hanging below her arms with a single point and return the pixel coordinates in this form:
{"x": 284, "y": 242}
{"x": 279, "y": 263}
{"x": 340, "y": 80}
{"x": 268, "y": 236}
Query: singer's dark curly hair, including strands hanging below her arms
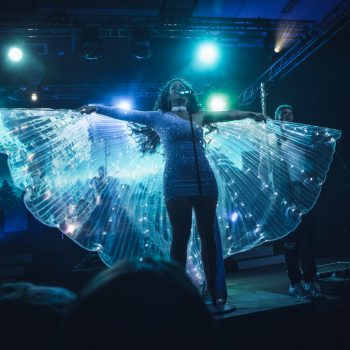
{"x": 146, "y": 137}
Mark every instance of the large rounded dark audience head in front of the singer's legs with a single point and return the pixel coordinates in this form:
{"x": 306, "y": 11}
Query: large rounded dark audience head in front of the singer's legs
{"x": 149, "y": 304}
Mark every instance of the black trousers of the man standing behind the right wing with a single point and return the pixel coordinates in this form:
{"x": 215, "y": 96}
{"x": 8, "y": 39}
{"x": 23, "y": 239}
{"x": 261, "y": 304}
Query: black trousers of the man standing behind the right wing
{"x": 299, "y": 248}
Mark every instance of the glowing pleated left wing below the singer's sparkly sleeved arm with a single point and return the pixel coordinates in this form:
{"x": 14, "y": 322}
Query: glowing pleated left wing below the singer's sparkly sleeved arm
{"x": 85, "y": 176}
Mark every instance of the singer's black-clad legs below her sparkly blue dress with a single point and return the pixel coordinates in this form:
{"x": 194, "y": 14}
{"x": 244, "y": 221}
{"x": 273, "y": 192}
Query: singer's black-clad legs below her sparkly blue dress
{"x": 180, "y": 215}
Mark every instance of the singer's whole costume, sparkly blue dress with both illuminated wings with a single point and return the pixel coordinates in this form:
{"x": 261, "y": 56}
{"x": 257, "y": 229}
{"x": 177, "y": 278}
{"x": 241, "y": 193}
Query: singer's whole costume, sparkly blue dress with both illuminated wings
{"x": 85, "y": 175}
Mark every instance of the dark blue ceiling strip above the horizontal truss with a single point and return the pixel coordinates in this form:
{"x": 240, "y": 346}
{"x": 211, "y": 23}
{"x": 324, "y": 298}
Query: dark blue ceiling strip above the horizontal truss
{"x": 268, "y": 9}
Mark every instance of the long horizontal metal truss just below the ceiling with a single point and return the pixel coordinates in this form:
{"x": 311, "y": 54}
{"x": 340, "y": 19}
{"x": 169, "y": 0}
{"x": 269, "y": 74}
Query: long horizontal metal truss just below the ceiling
{"x": 238, "y": 30}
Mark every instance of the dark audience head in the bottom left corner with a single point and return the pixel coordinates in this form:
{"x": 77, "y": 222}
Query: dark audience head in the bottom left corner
{"x": 30, "y": 315}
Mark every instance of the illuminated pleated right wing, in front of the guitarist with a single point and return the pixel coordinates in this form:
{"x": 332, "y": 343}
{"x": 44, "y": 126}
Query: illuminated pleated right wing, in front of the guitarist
{"x": 269, "y": 175}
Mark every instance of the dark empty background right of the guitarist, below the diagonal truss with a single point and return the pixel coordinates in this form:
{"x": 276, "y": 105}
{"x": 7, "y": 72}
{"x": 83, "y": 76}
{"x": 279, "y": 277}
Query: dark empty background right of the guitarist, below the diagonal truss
{"x": 319, "y": 92}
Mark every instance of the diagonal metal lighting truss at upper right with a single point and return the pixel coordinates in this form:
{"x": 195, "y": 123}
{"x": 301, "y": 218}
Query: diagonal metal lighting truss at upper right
{"x": 322, "y": 32}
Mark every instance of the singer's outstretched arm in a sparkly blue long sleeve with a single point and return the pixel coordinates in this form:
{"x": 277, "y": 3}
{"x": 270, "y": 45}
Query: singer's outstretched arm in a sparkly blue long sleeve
{"x": 148, "y": 118}
